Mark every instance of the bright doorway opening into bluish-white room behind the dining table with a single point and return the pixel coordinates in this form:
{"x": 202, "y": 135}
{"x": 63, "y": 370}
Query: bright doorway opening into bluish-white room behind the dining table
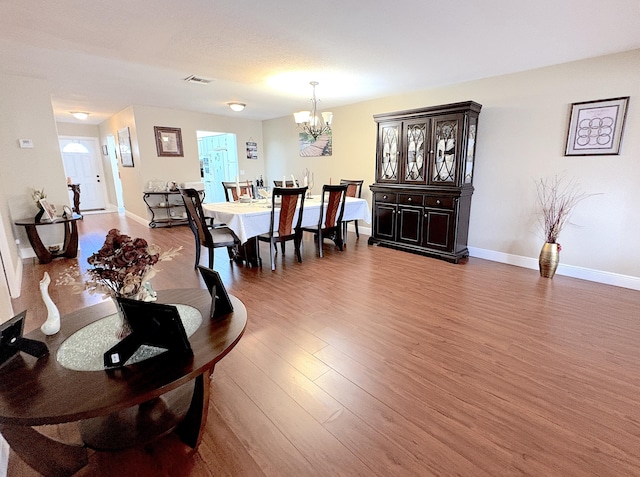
{"x": 218, "y": 154}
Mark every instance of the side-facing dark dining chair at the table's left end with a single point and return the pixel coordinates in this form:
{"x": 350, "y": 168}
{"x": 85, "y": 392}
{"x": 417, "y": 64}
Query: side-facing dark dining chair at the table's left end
{"x": 206, "y": 235}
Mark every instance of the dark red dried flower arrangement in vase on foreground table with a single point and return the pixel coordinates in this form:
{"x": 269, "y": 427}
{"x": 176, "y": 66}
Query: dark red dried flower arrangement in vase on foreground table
{"x": 123, "y": 268}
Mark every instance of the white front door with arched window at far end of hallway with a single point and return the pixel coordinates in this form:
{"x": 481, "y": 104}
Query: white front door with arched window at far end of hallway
{"x": 83, "y": 166}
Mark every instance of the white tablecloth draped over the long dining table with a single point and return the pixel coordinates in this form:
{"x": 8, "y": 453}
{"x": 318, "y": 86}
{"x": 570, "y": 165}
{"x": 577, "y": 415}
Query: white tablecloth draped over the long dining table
{"x": 250, "y": 219}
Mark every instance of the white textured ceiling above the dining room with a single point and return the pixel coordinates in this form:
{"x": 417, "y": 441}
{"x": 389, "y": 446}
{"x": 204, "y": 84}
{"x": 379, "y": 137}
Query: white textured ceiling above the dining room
{"x": 104, "y": 56}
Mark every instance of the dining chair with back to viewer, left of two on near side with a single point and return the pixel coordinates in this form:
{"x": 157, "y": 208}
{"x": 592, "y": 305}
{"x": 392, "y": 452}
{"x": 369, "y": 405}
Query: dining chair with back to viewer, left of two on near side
{"x": 288, "y": 199}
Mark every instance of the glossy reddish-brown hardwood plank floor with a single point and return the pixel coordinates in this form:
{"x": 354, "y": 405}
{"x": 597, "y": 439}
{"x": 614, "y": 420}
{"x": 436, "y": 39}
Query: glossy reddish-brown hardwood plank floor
{"x": 378, "y": 362}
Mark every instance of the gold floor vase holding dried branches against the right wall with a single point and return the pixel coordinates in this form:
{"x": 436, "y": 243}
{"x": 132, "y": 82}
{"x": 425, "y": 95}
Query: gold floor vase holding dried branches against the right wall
{"x": 557, "y": 198}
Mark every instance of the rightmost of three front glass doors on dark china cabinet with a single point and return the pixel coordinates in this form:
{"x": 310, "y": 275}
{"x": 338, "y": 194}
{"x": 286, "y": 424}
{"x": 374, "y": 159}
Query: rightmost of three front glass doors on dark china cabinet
{"x": 445, "y": 141}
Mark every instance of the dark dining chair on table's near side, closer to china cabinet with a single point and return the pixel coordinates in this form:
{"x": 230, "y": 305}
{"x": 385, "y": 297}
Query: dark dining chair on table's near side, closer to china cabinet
{"x": 330, "y": 221}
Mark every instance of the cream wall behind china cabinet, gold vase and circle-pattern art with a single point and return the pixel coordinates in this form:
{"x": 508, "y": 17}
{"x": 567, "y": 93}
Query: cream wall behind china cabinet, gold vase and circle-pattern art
{"x": 521, "y": 137}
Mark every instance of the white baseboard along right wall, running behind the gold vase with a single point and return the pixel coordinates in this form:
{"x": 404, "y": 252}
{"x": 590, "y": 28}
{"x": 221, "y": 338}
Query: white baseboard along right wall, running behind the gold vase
{"x": 607, "y": 278}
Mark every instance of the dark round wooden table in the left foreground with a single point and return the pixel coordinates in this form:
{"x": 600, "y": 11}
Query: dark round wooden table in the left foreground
{"x": 117, "y": 408}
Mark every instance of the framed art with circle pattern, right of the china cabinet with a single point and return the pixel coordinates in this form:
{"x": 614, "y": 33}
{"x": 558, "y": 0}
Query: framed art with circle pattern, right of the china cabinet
{"x": 595, "y": 127}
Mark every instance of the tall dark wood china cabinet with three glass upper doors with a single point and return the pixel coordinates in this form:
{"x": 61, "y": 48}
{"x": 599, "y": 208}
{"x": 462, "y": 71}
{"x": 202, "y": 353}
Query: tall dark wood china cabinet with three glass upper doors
{"x": 424, "y": 179}
